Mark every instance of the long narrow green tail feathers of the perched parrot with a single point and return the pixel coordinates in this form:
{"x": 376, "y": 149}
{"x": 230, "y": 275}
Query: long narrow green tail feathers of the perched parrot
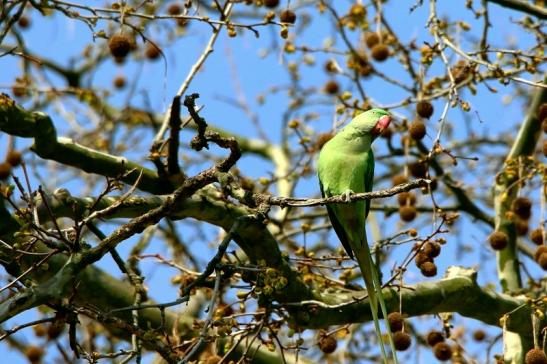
{"x": 374, "y": 290}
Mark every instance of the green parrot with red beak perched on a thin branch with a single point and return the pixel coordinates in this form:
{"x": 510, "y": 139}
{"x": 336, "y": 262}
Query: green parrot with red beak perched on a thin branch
{"x": 346, "y": 165}
